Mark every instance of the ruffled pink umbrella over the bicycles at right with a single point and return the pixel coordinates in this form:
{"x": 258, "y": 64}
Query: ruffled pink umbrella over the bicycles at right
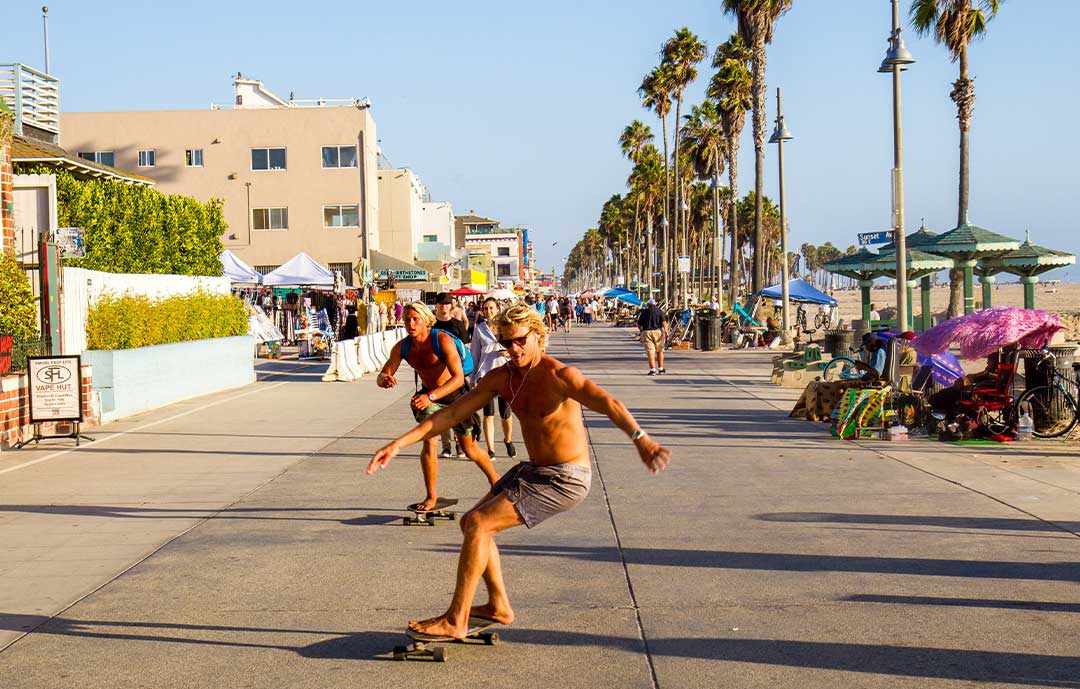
{"x": 985, "y": 332}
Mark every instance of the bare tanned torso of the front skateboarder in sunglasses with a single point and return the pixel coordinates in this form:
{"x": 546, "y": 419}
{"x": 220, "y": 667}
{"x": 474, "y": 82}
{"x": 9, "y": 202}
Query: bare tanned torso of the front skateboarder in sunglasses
{"x": 550, "y": 421}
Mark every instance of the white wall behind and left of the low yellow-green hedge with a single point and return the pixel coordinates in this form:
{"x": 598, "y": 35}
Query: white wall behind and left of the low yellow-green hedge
{"x": 84, "y": 288}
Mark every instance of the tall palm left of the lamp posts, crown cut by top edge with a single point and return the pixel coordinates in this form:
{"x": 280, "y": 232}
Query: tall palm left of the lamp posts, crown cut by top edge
{"x": 757, "y": 21}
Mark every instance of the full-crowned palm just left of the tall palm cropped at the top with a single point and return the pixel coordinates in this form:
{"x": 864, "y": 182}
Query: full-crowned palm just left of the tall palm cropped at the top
{"x": 732, "y": 88}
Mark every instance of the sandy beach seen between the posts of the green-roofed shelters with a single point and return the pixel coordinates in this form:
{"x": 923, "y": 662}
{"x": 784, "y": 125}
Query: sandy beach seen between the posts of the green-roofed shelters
{"x": 1062, "y": 300}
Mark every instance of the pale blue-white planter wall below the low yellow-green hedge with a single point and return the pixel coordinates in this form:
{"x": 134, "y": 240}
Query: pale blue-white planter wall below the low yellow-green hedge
{"x": 133, "y": 381}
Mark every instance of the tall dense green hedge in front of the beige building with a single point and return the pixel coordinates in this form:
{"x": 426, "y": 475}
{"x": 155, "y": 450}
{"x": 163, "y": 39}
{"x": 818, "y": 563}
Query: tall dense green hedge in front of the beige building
{"x": 134, "y": 229}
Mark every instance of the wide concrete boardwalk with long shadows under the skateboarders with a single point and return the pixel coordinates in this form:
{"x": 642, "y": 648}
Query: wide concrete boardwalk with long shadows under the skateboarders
{"x": 234, "y": 542}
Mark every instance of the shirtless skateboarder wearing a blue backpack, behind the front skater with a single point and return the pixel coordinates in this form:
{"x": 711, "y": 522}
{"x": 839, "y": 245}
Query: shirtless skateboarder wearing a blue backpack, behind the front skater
{"x": 442, "y": 363}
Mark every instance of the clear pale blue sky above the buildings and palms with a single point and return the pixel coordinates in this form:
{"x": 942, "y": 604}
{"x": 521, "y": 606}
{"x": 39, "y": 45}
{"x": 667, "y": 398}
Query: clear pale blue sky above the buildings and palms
{"x": 515, "y": 110}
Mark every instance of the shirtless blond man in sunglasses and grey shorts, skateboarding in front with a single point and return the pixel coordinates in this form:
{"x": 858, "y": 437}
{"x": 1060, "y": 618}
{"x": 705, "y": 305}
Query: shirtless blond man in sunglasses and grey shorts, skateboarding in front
{"x": 547, "y": 397}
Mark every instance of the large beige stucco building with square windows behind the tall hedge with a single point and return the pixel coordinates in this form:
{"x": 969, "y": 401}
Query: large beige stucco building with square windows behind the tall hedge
{"x": 294, "y": 175}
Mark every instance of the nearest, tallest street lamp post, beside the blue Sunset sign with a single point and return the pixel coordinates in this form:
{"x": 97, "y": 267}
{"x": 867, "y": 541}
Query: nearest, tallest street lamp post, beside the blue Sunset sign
{"x": 895, "y": 62}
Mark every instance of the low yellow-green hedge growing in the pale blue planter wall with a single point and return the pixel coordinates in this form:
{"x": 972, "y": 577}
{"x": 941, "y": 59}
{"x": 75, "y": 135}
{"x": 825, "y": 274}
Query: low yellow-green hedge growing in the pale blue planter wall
{"x": 129, "y": 322}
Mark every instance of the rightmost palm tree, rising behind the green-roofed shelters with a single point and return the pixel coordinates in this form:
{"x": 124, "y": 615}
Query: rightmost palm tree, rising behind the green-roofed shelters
{"x": 955, "y": 24}
